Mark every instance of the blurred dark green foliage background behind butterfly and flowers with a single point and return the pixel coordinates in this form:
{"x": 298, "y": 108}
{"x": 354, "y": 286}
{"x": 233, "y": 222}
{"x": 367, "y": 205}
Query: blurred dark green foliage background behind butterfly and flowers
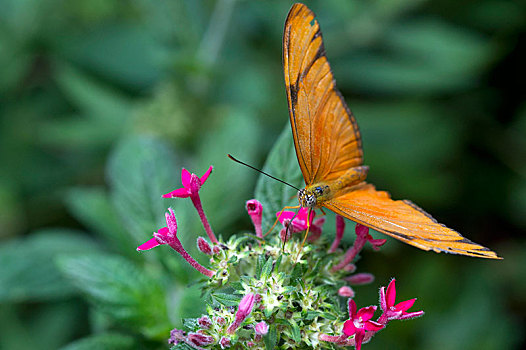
{"x": 97, "y": 96}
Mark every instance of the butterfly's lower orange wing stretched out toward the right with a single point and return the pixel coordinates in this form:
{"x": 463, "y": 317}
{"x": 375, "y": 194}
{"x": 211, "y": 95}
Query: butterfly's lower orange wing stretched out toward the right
{"x": 403, "y": 220}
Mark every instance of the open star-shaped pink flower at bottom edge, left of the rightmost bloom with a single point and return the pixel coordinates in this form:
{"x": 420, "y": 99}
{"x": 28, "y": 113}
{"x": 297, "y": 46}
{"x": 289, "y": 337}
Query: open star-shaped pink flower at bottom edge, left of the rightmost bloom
{"x": 359, "y": 322}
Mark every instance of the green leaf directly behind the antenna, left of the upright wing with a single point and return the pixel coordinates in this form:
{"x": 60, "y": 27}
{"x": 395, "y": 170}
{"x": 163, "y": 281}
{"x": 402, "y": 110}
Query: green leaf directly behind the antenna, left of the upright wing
{"x": 283, "y": 164}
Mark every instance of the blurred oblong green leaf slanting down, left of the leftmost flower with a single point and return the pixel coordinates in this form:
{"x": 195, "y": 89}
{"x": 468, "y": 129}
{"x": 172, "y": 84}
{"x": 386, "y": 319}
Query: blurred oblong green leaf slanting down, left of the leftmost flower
{"x": 93, "y": 208}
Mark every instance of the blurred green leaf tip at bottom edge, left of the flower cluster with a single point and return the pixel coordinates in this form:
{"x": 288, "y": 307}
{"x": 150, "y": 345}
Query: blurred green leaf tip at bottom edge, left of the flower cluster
{"x": 107, "y": 341}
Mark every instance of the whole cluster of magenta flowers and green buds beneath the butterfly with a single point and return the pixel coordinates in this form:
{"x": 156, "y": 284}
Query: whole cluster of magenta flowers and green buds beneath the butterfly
{"x": 268, "y": 291}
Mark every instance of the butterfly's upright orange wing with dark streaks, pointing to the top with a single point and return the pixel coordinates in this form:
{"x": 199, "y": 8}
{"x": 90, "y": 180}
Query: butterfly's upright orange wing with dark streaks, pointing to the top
{"x": 326, "y": 136}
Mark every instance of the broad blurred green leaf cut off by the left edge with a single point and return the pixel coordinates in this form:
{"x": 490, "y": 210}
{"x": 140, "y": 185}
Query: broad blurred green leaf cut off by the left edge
{"x": 27, "y": 270}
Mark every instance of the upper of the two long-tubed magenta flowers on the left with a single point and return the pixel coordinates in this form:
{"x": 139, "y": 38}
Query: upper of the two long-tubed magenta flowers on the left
{"x": 191, "y": 186}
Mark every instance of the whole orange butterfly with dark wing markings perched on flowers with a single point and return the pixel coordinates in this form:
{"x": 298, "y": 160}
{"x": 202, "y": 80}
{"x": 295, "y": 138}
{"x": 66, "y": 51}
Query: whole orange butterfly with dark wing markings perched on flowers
{"x": 329, "y": 149}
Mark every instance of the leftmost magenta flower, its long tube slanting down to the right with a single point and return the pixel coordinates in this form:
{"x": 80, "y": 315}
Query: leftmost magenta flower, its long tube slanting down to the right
{"x": 168, "y": 235}
